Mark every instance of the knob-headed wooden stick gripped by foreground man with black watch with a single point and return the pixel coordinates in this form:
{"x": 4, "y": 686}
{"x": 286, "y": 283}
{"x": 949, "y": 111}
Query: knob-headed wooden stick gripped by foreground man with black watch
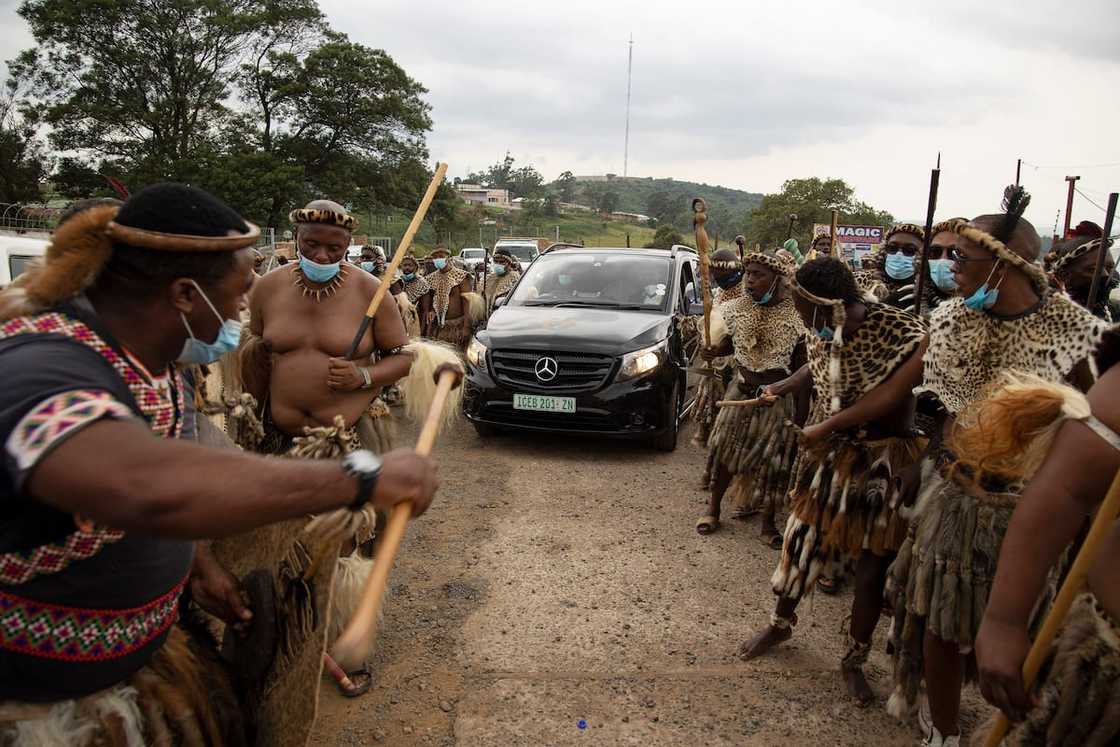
{"x": 358, "y": 638}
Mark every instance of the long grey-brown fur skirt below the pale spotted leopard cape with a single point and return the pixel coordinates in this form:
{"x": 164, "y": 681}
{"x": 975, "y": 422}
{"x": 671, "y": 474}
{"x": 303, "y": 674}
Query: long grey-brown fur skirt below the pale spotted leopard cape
{"x": 944, "y": 574}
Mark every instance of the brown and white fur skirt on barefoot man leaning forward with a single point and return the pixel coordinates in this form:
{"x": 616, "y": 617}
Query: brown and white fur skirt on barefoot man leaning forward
{"x": 843, "y": 501}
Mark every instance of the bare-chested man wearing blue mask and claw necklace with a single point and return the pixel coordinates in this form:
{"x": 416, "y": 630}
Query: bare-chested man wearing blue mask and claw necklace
{"x": 304, "y": 318}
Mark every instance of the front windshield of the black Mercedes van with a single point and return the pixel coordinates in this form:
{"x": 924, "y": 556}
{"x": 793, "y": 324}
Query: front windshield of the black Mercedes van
{"x": 617, "y": 281}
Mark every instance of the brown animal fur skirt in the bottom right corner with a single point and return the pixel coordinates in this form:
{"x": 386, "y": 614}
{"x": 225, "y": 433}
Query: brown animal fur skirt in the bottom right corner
{"x": 1079, "y": 688}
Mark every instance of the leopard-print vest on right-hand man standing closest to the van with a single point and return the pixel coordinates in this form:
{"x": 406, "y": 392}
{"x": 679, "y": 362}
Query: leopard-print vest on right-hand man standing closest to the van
{"x": 764, "y": 337}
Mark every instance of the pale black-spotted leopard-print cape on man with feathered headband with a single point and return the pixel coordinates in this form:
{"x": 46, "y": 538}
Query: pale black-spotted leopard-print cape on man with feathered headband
{"x": 969, "y": 350}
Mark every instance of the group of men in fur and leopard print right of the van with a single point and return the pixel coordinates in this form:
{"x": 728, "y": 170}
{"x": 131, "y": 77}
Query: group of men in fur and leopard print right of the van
{"x": 907, "y": 438}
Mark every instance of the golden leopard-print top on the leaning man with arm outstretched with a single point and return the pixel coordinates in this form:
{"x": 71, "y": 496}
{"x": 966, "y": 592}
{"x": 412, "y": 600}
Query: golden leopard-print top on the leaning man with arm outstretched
{"x": 886, "y": 338}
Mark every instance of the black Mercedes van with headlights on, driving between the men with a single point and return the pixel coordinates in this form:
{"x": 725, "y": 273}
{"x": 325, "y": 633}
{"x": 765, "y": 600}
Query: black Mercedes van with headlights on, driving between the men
{"x": 590, "y": 343}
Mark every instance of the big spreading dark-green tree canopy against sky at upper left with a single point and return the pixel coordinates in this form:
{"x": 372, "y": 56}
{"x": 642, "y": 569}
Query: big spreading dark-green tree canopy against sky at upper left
{"x": 259, "y": 102}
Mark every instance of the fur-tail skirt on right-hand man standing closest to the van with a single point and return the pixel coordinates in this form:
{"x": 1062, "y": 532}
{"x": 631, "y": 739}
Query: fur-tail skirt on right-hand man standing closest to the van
{"x": 759, "y": 449}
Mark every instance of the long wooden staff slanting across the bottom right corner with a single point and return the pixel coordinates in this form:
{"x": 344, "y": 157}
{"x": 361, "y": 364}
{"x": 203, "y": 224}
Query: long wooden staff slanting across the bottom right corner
{"x": 1075, "y": 582}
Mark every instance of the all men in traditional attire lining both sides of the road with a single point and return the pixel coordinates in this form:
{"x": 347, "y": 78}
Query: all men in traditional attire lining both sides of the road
{"x": 172, "y": 419}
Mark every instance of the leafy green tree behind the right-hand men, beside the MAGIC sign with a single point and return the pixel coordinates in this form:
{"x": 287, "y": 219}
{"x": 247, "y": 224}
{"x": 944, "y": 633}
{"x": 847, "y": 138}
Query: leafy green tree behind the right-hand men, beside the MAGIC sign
{"x": 813, "y": 201}
